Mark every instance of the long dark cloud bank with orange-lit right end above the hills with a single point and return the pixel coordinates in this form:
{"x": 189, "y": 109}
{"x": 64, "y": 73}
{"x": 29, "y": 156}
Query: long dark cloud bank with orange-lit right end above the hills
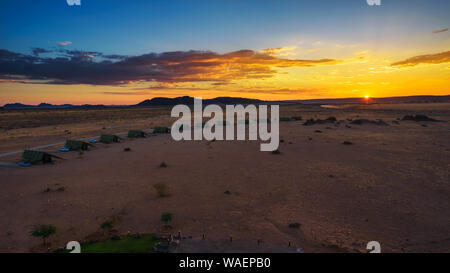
{"x": 88, "y": 67}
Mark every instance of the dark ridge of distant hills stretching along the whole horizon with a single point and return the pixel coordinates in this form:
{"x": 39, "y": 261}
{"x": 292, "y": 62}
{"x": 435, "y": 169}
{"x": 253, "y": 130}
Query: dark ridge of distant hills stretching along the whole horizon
{"x": 162, "y": 101}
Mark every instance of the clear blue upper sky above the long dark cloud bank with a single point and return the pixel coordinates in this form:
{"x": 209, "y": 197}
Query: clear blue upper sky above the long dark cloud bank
{"x": 136, "y": 27}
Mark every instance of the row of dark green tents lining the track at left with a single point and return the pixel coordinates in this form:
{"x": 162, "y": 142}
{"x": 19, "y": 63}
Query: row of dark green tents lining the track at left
{"x": 36, "y": 157}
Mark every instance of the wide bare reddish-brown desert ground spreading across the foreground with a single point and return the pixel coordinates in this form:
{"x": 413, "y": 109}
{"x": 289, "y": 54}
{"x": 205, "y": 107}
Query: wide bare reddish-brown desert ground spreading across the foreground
{"x": 392, "y": 185}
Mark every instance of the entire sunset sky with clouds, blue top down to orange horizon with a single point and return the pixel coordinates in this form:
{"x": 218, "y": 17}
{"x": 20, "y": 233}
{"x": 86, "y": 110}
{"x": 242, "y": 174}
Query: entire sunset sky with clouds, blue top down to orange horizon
{"x": 122, "y": 52}
